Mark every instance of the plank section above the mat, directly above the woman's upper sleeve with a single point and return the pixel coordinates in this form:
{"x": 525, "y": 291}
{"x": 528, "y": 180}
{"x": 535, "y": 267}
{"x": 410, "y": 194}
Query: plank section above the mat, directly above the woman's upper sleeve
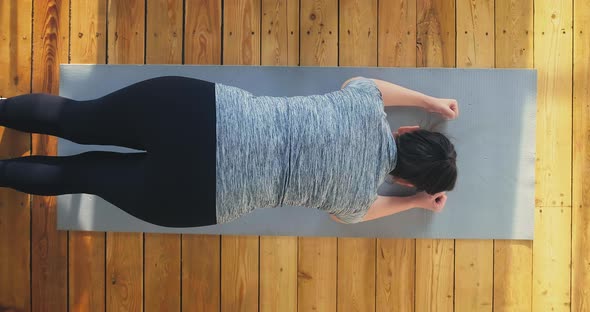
{"x": 358, "y": 32}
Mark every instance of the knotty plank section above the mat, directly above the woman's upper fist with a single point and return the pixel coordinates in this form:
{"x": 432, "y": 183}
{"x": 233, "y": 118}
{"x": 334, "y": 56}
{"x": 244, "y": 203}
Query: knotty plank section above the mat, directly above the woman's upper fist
{"x": 435, "y": 39}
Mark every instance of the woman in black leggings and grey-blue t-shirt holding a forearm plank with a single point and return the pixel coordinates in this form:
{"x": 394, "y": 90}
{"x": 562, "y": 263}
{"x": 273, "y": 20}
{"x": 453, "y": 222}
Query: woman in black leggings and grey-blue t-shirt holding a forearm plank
{"x": 215, "y": 152}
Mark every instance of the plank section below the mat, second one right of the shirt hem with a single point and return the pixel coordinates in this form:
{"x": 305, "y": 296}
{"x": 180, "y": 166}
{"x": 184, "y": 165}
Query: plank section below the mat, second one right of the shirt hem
{"x": 278, "y": 274}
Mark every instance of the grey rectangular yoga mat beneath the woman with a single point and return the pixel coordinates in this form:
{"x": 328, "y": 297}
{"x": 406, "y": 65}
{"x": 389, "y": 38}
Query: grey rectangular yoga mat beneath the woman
{"x": 494, "y": 137}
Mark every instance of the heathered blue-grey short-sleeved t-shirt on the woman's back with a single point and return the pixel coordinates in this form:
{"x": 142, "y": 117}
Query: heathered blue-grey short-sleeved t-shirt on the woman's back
{"x": 329, "y": 152}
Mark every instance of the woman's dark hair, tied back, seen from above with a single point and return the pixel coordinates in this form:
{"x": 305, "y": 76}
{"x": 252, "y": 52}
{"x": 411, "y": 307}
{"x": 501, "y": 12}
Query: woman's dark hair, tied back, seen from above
{"x": 427, "y": 160}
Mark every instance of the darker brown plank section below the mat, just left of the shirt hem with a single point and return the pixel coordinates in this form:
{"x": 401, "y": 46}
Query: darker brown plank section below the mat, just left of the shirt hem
{"x": 201, "y": 271}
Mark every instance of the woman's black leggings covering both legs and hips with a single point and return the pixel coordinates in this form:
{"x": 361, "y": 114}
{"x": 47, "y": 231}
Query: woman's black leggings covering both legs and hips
{"x": 172, "y": 119}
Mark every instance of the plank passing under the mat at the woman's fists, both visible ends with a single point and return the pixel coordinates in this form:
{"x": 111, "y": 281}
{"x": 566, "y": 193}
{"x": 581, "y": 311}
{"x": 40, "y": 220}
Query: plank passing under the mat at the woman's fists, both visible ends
{"x": 435, "y": 43}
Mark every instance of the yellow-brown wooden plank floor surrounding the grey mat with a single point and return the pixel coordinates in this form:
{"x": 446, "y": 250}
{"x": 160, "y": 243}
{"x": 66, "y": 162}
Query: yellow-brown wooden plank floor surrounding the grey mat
{"x": 42, "y": 269}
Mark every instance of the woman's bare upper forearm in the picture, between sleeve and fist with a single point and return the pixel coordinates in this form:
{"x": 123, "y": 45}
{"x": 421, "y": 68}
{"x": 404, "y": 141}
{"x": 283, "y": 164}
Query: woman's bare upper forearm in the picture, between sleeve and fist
{"x": 394, "y": 95}
